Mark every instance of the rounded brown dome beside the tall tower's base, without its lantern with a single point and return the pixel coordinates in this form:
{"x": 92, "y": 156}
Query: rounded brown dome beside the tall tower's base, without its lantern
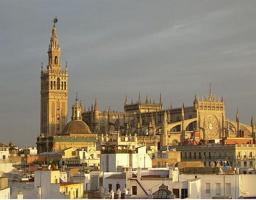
{"x": 76, "y": 127}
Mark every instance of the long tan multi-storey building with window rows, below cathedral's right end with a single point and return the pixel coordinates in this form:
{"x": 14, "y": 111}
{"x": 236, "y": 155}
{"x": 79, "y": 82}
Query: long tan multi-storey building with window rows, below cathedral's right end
{"x": 240, "y": 155}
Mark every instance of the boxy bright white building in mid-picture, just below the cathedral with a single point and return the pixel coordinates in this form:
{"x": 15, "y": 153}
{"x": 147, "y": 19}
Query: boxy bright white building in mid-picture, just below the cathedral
{"x": 117, "y": 159}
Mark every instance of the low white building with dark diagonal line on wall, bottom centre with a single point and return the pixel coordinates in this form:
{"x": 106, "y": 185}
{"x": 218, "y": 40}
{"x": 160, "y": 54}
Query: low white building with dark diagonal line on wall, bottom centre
{"x": 144, "y": 183}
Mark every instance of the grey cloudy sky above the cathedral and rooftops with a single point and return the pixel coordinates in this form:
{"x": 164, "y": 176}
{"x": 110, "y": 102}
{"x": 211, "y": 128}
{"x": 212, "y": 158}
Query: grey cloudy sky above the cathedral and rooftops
{"x": 118, "y": 48}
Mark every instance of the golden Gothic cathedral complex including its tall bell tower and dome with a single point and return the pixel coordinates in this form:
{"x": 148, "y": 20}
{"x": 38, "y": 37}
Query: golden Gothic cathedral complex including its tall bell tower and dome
{"x": 204, "y": 120}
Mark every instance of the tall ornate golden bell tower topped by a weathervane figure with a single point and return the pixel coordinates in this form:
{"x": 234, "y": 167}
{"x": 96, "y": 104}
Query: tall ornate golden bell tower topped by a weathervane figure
{"x": 54, "y": 90}
